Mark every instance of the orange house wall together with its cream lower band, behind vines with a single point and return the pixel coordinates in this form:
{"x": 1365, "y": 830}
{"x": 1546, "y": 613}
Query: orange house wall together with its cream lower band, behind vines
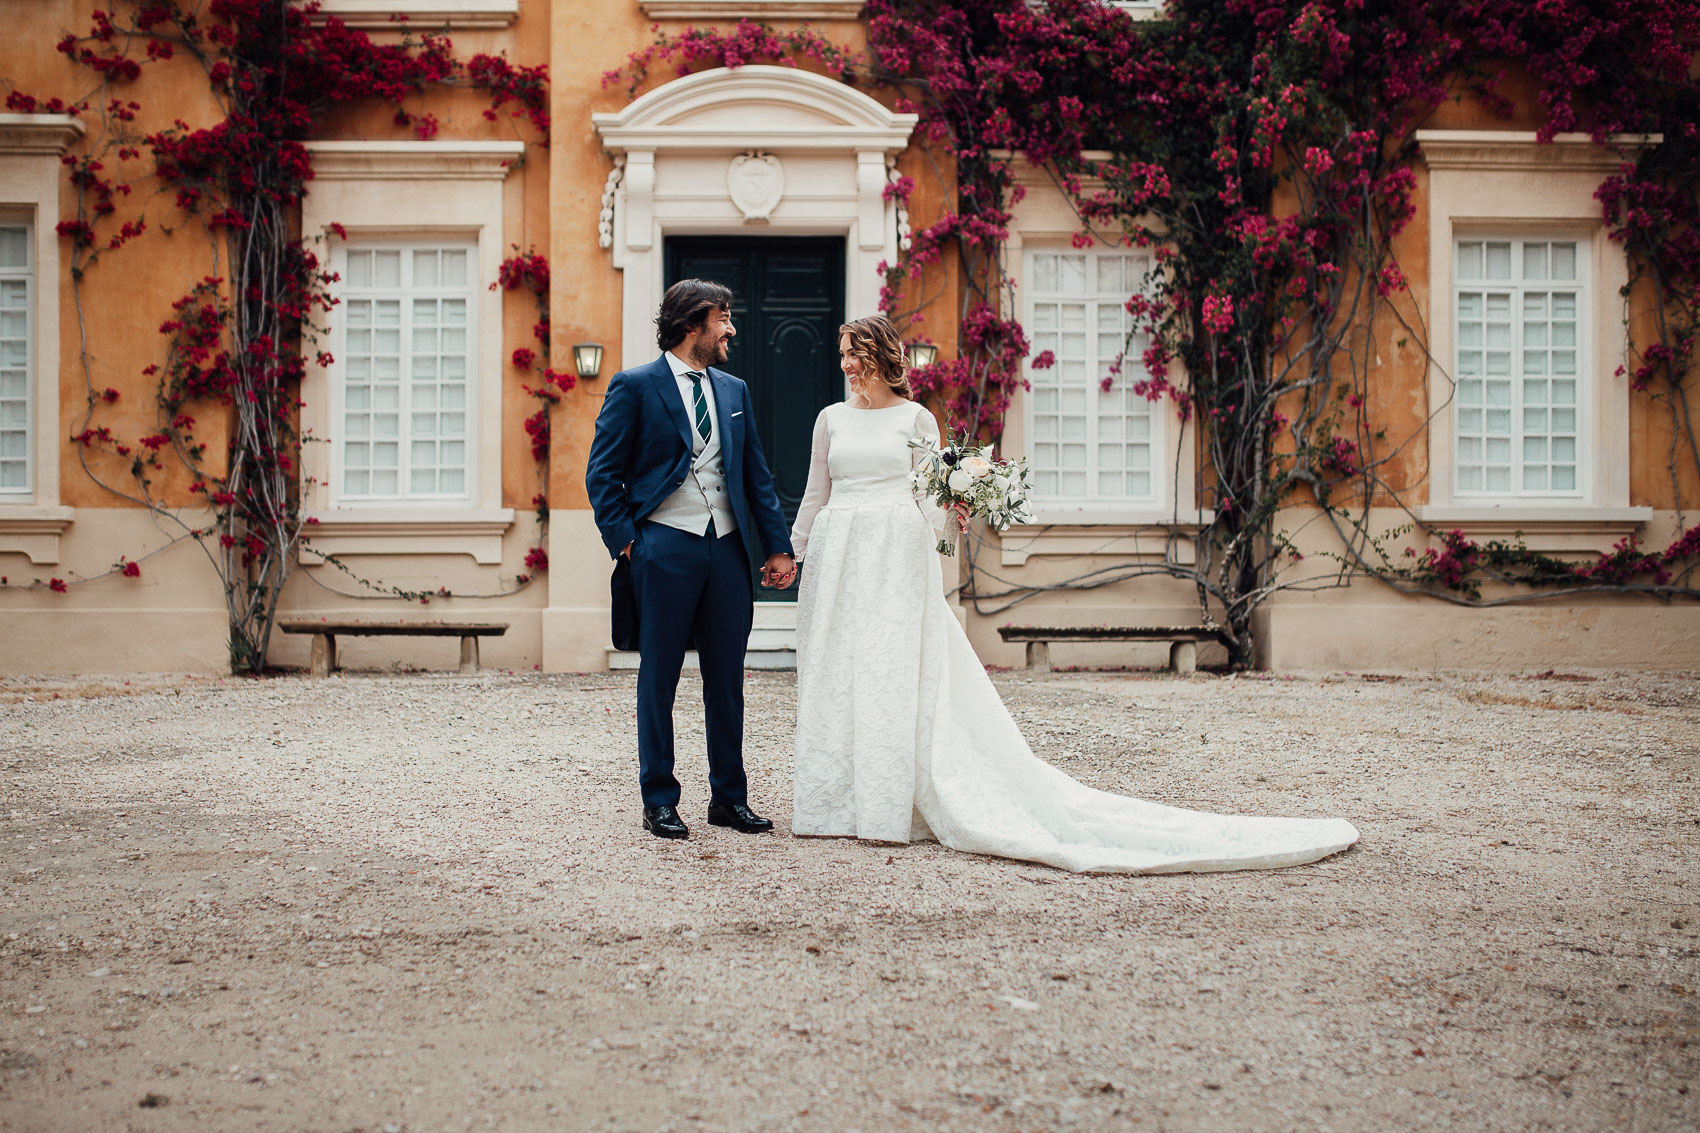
{"x": 552, "y": 205}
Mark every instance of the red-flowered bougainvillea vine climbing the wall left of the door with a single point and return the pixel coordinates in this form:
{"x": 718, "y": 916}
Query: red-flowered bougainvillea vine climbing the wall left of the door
{"x": 237, "y": 343}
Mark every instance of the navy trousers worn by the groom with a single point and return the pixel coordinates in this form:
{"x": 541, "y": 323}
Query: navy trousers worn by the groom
{"x": 691, "y": 589}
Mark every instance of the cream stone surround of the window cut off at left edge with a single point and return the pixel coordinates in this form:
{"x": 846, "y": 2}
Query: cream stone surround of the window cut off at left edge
{"x": 31, "y": 147}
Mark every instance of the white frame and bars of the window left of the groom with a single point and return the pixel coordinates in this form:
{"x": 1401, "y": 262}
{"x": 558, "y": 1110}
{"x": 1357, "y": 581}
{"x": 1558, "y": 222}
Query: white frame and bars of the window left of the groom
{"x": 407, "y": 293}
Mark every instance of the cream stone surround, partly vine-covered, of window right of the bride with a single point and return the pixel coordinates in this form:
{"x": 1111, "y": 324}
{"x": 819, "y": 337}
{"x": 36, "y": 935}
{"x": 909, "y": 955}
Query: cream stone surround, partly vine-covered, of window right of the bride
{"x": 1046, "y": 219}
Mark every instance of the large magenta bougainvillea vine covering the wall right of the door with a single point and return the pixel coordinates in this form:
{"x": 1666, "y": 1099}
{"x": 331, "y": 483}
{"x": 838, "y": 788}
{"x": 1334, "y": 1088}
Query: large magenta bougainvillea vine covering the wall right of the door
{"x": 1261, "y": 156}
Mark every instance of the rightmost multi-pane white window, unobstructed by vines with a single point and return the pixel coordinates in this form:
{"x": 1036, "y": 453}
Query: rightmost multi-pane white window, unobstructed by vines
{"x": 1519, "y": 327}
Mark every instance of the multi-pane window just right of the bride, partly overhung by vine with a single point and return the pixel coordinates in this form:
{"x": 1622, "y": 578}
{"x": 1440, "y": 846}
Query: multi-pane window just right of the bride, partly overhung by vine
{"x": 1087, "y": 443}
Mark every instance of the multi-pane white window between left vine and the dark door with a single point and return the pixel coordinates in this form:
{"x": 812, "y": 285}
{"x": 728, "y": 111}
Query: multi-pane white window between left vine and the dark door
{"x": 405, "y": 363}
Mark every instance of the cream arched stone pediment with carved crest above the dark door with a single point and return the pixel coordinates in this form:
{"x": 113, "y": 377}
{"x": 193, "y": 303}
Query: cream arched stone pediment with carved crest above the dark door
{"x": 752, "y": 151}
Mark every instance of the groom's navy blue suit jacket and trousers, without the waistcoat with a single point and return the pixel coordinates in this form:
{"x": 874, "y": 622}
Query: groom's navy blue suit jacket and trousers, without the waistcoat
{"x": 689, "y": 588}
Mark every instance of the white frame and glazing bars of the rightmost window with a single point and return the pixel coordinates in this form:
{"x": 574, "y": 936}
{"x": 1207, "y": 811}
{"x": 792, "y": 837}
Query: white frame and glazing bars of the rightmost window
{"x": 1585, "y": 375}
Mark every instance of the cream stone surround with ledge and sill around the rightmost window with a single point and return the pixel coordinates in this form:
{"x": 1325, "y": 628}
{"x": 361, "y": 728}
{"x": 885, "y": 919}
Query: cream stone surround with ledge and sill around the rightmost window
{"x": 1507, "y": 183}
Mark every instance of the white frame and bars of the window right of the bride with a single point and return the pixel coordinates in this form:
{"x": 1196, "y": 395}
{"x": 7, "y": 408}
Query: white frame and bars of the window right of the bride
{"x": 1097, "y": 368}
